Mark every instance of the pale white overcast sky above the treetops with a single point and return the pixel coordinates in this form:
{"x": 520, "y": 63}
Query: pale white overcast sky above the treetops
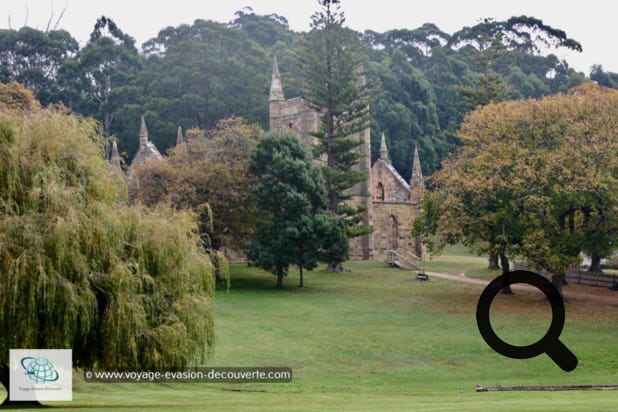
{"x": 593, "y": 22}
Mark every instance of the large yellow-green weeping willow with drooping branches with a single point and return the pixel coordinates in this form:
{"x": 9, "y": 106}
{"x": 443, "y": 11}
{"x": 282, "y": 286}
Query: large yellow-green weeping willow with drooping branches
{"x": 127, "y": 288}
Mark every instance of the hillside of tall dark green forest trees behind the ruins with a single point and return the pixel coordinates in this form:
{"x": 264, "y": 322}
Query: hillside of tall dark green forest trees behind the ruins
{"x": 422, "y": 81}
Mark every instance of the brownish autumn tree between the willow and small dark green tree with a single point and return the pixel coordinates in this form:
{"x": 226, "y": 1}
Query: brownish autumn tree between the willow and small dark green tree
{"x": 208, "y": 173}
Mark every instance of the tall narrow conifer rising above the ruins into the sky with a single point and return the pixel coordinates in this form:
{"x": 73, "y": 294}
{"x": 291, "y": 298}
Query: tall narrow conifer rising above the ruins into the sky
{"x": 331, "y": 58}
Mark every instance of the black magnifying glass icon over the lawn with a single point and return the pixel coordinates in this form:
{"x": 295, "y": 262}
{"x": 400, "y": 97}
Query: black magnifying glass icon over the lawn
{"x": 550, "y": 343}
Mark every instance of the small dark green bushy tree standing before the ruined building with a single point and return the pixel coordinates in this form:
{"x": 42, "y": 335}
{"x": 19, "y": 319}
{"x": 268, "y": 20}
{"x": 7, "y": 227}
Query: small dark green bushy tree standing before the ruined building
{"x": 294, "y": 226}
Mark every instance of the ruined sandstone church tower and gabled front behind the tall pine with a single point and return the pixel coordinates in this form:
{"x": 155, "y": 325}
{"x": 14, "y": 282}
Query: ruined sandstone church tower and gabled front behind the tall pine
{"x": 391, "y": 204}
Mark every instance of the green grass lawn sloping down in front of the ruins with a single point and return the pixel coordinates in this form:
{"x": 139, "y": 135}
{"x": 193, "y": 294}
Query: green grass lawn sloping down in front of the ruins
{"x": 375, "y": 339}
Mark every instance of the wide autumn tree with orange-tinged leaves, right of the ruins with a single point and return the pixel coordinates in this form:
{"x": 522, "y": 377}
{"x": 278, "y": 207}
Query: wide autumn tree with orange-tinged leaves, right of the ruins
{"x": 535, "y": 178}
